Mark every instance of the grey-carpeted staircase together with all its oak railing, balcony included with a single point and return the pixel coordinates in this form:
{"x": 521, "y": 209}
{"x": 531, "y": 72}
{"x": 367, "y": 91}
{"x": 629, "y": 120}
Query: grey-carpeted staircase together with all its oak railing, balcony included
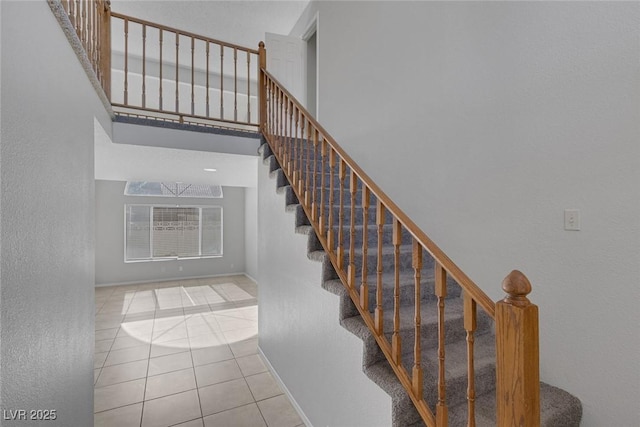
{"x": 424, "y": 324}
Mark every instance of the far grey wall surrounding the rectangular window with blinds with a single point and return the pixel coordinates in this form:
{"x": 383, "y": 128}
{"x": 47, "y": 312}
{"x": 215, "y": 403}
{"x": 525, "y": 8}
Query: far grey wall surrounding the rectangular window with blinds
{"x": 110, "y": 265}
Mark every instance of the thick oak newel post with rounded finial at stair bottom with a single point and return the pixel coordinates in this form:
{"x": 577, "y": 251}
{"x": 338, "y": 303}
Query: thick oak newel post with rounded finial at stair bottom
{"x": 517, "y": 354}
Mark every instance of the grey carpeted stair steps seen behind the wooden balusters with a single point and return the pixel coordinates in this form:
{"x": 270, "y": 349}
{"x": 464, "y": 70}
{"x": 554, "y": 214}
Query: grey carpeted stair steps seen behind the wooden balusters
{"x": 558, "y": 408}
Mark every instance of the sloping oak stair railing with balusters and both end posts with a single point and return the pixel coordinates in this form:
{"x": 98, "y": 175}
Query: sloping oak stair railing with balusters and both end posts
{"x": 293, "y": 134}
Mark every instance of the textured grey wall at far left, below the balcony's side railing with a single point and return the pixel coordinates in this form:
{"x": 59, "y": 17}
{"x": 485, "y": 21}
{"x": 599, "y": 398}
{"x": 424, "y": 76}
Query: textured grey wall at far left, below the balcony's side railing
{"x": 46, "y": 225}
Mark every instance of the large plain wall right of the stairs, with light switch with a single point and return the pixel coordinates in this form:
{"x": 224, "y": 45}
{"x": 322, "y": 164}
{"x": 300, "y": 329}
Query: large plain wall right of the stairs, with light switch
{"x": 484, "y": 121}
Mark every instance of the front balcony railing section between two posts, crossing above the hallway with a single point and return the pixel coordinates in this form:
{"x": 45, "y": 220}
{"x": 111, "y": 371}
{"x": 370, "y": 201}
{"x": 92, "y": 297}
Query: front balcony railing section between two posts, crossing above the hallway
{"x": 163, "y": 70}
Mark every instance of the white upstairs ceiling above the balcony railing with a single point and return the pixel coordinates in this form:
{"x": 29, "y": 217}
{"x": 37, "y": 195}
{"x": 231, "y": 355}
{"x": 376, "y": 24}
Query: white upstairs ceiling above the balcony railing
{"x": 236, "y": 21}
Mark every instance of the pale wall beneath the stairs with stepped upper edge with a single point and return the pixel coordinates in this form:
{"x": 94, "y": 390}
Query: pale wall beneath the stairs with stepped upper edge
{"x": 324, "y": 375}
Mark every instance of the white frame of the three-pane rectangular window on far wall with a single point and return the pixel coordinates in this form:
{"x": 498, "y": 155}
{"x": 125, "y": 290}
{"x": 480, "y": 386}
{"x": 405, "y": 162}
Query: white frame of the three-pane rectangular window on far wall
{"x": 172, "y": 258}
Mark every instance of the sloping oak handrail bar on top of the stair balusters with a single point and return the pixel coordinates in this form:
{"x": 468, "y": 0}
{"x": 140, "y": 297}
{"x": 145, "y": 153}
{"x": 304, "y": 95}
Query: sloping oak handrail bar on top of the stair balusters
{"x": 452, "y": 269}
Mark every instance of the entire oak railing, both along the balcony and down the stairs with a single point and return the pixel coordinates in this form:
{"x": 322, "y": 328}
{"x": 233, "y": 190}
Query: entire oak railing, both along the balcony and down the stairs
{"x": 162, "y": 72}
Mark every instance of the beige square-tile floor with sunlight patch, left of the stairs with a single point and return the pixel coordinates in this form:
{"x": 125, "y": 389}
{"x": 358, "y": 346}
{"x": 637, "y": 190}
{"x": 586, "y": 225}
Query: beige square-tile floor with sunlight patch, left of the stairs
{"x": 184, "y": 354}
